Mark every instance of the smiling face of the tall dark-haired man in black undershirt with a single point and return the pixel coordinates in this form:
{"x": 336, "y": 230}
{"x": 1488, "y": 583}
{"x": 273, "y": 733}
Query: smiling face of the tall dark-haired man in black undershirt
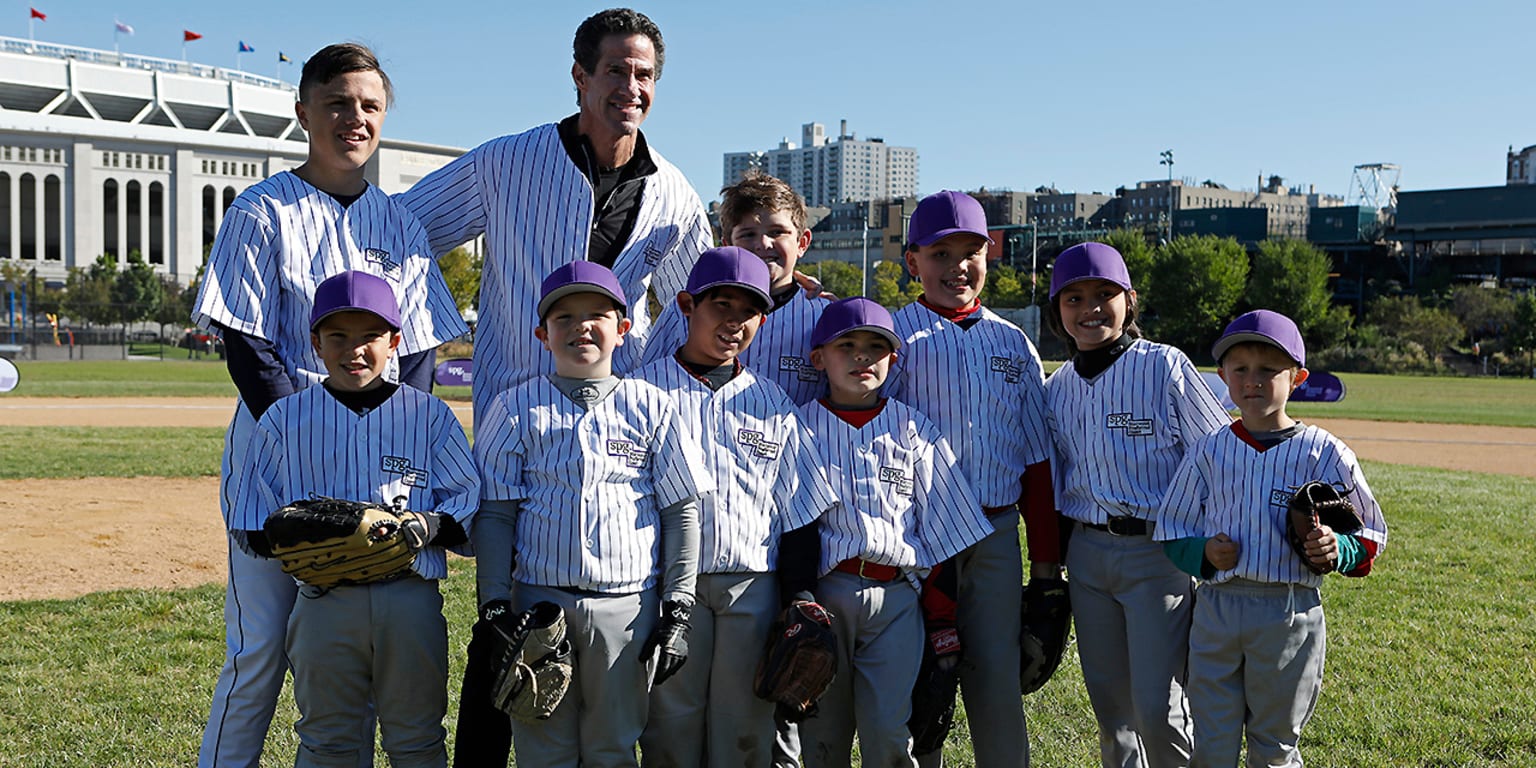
{"x": 617, "y": 96}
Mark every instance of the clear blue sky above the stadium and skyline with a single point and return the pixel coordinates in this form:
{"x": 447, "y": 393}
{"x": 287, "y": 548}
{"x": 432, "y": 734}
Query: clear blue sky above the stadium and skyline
{"x": 999, "y": 94}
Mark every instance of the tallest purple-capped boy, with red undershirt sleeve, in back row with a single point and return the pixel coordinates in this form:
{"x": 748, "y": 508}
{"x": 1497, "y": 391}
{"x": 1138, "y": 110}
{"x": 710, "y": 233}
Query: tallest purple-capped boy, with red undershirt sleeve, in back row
{"x": 979, "y": 379}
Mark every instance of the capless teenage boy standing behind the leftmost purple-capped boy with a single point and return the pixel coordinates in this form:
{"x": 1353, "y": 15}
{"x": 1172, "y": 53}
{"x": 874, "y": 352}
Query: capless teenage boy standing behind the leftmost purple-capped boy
{"x": 279, "y": 240}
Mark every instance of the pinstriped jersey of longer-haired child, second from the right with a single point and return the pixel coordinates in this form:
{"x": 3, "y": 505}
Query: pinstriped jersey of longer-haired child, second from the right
{"x": 1121, "y": 435}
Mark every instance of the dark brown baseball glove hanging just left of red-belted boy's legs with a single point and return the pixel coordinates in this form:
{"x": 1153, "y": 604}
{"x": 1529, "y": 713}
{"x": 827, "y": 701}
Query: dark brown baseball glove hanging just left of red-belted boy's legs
{"x": 799, "y": 661}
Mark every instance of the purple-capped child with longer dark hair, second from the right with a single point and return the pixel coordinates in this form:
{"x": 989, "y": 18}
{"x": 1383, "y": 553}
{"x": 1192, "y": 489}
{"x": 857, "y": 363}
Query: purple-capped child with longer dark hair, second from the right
{"x": 1124, "y": 412}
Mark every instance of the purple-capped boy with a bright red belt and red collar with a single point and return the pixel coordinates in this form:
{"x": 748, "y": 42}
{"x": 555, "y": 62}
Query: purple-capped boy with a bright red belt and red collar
{"x": 905, "y": 509}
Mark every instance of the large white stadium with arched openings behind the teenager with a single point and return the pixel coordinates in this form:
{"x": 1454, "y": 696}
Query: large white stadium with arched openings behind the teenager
{"x": 105, "y": 153}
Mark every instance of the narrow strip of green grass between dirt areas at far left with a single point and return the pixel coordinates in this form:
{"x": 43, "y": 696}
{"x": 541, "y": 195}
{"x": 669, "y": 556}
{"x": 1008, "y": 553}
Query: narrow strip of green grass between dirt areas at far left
{"x": 110, "y": 452}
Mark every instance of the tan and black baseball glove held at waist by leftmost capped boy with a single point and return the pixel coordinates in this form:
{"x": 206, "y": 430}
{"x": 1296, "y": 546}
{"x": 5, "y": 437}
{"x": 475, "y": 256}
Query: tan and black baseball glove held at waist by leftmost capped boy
{"x": 326, "y": 543}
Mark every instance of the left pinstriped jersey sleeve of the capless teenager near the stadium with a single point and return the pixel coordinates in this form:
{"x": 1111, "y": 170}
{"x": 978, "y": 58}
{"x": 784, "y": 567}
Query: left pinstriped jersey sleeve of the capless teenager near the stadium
{"x": 242, "y": 288}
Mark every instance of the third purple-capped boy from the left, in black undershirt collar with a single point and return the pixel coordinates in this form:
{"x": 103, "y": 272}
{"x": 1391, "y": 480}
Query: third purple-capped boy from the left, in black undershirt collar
{"x": 760, "y": 521}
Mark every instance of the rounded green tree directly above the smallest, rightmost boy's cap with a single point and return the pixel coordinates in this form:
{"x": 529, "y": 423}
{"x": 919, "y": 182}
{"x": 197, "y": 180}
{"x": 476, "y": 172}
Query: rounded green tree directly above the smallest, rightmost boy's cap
{"x": 1291, "y": 277}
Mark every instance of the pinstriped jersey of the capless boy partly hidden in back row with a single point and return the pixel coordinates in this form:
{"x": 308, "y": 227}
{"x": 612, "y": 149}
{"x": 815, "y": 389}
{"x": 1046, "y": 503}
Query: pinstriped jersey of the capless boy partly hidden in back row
{"x": 781, "y": 351}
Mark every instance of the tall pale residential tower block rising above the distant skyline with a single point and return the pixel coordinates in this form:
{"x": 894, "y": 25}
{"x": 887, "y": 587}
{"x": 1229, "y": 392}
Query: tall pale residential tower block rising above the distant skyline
{"x": 827, "y": 171}
